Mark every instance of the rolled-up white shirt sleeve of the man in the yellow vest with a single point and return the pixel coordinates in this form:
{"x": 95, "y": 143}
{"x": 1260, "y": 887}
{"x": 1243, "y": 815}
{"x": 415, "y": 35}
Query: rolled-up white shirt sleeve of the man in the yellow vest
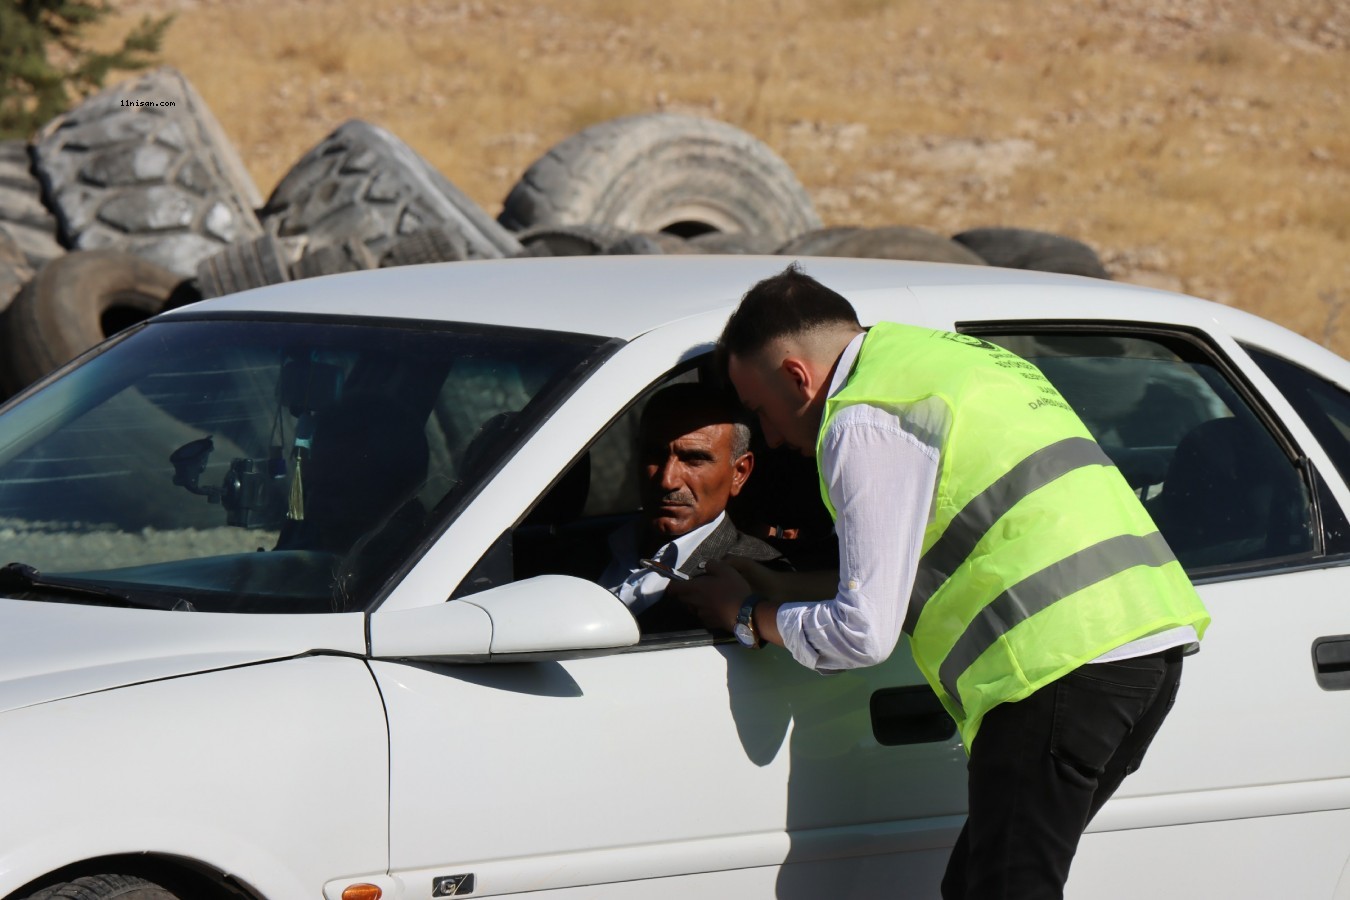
{"x": 881, "y": 481}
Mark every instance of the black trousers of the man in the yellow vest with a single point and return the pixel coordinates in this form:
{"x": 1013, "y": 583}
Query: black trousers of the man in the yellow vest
{"x": 1043, "y": 767}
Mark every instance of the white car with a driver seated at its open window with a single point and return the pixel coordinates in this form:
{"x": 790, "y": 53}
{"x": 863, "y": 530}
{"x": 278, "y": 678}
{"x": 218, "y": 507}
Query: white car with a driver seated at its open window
{"x": 296, "y": 607}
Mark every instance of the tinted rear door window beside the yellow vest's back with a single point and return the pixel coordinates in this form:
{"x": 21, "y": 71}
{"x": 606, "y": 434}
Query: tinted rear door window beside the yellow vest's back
{"x": 1217, "y": 482}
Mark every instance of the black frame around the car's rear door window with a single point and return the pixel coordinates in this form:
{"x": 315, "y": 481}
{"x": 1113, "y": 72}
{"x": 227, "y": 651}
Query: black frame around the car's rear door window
{"x": 1324, "y": 508}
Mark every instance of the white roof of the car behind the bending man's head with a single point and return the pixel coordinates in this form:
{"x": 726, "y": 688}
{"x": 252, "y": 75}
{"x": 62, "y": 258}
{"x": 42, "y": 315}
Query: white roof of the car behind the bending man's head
{"x": 630, "y": 296}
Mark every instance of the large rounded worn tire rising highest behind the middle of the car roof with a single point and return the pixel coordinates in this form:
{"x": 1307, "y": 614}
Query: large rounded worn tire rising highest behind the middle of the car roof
{"x": 662, "y": 172}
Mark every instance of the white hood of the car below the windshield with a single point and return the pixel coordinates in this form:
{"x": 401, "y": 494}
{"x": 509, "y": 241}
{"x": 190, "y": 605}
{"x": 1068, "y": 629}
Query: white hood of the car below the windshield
{"x": 53, "y": 651}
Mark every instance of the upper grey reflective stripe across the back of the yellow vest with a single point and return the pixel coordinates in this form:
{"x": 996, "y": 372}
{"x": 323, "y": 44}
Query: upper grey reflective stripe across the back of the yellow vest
{"x": 979, "y": 516}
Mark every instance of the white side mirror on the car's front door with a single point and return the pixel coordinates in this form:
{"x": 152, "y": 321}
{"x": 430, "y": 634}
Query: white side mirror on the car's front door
{"x": 550, "y": 617}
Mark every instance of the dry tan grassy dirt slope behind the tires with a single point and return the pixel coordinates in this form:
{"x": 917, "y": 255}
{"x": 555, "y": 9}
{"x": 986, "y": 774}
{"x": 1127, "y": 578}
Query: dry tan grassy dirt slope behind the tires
{"x": 1199, "y": 145}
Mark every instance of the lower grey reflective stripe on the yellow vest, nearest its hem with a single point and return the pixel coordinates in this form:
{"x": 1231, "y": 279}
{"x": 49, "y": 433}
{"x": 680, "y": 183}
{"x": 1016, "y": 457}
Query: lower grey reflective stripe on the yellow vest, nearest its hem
{"x": 1039, "y": 592}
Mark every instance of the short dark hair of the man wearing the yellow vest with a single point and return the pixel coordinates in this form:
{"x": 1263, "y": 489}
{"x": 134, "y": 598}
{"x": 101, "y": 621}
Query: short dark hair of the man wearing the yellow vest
{"x": 790, "y": 303}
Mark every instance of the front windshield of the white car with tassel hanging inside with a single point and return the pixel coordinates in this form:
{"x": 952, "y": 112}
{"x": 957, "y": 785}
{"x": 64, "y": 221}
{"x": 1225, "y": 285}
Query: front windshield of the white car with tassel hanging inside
{"x": 277, "y": 466}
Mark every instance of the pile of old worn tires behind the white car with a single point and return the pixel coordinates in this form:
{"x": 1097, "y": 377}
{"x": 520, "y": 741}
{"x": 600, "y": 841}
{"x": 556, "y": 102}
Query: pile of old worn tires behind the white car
{"x": 117, "y": 211}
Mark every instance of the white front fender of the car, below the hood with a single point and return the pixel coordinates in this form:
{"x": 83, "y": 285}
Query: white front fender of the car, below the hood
{"x": 276, "y": 774}
